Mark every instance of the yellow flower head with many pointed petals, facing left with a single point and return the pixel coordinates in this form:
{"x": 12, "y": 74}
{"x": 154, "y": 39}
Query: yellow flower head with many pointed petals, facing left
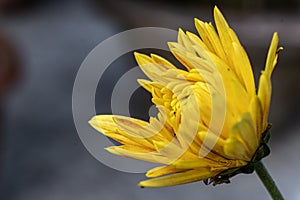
{"x": 211, "y": 122}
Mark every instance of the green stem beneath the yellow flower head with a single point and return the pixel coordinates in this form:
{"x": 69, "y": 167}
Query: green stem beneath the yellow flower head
{"x": 267, "y": 180}
